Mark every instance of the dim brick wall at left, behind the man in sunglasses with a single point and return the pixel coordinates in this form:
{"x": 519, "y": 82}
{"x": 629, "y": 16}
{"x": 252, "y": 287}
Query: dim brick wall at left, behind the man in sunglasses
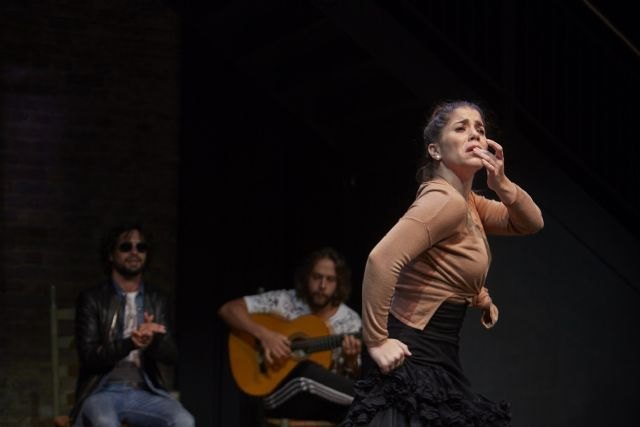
{"x": 88, "y": 136}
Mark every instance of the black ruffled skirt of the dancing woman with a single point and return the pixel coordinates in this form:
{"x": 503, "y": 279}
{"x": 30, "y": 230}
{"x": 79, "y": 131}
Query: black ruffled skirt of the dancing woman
{"x": 429, "y": 388}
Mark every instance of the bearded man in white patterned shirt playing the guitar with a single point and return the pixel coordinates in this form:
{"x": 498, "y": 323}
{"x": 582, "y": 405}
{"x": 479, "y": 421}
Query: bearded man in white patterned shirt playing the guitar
{"x": 322, "y": 285}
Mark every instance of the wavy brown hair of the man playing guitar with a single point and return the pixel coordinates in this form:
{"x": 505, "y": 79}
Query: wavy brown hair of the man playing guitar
{"x": 343, "y": 275}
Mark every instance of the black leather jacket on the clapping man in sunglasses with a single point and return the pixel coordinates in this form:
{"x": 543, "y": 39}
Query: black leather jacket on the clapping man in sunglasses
{"x": 99, "y": 342}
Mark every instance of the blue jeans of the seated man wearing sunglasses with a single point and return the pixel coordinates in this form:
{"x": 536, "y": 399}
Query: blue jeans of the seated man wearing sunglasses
{"x": 116, "y": 403}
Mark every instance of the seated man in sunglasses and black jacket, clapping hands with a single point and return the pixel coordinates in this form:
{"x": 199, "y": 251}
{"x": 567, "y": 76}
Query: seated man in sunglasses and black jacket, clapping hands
{"x": 122, "y": 332}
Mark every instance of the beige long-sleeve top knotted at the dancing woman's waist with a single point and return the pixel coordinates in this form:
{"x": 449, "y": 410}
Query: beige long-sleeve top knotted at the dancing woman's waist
{"x": 437, "y": 251}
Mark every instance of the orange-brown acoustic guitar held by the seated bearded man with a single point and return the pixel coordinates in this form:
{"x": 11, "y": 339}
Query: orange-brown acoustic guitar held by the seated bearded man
{"x": 310, "y": 340}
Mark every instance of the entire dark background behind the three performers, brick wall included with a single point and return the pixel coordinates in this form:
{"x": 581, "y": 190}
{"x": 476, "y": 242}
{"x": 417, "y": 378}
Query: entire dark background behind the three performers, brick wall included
{"x": 249, "y": 133}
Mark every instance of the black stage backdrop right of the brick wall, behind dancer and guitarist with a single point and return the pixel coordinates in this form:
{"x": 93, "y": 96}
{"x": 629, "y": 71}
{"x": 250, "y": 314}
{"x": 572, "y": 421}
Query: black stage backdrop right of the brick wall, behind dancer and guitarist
{"x": 312, "y": 114}
